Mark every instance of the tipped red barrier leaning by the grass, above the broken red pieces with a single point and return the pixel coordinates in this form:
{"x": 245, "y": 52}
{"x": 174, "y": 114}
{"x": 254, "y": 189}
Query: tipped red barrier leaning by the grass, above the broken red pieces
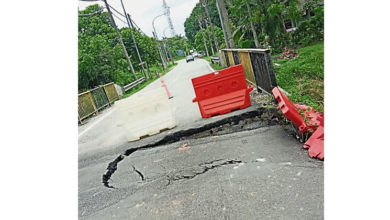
{"x": 289, "y": 110}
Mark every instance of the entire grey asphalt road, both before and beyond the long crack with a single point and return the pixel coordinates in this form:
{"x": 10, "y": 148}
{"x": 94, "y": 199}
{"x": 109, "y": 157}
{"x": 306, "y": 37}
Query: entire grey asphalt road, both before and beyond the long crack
{"x": 258, "y": 173}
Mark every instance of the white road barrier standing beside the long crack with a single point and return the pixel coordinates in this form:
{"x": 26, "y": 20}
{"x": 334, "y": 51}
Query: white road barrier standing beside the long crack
{"x": 145, "y": 114}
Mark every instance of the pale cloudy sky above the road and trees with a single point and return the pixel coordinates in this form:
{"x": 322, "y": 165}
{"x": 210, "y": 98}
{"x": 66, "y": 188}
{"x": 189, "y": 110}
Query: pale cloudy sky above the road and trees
{"x": 143, "y": 12}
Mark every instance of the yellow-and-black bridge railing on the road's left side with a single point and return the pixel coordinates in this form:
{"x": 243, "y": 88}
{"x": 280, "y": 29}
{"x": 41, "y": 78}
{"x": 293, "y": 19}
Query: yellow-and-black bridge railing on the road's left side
{"x": 92, "y": 101}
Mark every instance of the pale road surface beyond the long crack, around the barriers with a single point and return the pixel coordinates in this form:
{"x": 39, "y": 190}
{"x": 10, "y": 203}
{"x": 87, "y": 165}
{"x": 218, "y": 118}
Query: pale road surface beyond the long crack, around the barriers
{"x": 103, "y": 132}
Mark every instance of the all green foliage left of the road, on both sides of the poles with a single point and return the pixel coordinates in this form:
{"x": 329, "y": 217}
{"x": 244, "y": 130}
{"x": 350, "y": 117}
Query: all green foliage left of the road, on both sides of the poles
{"x": 100, "y": 56}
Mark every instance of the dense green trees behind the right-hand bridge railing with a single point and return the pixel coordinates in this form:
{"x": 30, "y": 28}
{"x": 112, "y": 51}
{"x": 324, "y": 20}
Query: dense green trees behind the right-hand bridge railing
{"x": 269, "y": 19}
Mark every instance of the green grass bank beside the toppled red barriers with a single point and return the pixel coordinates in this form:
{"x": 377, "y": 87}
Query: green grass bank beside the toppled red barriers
{"x": 303, "y": 77}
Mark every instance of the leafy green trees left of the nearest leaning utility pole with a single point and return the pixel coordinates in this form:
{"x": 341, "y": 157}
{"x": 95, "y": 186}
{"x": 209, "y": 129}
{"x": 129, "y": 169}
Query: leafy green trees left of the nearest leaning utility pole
{"x": 100, "y": 57}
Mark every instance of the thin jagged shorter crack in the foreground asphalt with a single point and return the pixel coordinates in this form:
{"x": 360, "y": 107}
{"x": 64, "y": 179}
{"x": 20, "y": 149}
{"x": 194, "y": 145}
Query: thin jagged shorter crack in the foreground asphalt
{"x": 200, "y": 169}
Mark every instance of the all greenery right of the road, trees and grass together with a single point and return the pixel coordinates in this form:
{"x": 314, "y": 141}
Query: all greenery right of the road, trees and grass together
{"x": 277, "y": 25}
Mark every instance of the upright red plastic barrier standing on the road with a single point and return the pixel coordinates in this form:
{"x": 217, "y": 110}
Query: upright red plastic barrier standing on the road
{"x": 222, "y": 91}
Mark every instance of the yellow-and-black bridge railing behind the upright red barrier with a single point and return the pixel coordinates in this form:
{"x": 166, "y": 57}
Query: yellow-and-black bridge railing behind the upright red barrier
{"x": 257, "y": 66}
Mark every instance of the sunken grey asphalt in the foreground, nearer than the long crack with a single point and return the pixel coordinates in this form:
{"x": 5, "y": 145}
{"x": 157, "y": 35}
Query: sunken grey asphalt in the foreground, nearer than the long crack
{"x": 256, "y": 174}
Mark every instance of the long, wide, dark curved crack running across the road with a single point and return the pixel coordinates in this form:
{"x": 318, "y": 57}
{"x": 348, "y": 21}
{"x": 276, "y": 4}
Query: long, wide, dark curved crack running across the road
{"x": 179, "y": 135}
